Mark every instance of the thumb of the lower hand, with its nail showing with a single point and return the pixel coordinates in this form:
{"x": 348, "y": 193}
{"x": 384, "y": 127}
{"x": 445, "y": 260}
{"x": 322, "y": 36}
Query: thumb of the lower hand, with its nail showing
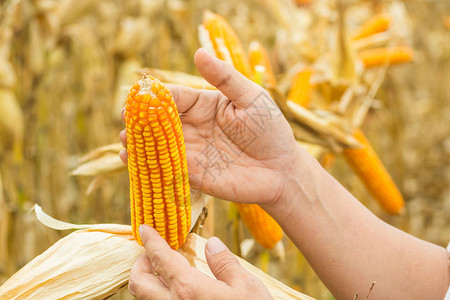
{"x": 222, "y": 262}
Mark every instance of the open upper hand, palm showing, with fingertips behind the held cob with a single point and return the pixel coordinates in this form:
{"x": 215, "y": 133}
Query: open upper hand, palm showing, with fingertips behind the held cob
{"x": 239, "y": 147}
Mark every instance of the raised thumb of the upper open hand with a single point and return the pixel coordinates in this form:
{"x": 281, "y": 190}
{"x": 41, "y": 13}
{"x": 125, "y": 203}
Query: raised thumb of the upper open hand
{"x": 238, "y": 88}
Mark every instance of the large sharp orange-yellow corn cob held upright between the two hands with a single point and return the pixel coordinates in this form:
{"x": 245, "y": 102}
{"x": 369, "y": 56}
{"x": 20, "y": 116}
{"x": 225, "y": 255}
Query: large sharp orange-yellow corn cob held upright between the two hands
{"x": 159, "y": 183}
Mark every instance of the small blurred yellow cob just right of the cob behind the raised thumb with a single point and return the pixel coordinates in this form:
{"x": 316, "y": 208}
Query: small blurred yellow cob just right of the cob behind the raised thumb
{"x": 260, "y": 65}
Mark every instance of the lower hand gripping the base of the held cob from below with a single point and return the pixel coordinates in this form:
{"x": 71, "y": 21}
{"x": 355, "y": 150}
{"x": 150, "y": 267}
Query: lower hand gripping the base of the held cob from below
{"x": 176, "y": 279}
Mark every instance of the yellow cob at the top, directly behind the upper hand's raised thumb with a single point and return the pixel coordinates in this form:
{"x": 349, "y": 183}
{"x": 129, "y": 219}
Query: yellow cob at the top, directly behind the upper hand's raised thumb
{"x": 226, "y": 43}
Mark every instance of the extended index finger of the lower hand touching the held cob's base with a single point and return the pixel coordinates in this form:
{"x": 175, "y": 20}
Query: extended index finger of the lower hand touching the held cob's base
{"x": 169, "y": 264}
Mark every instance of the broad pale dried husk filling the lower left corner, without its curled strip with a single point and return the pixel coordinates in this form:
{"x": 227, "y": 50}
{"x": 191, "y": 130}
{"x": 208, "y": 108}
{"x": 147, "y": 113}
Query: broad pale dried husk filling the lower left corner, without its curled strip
{"x": 91, "y": 263}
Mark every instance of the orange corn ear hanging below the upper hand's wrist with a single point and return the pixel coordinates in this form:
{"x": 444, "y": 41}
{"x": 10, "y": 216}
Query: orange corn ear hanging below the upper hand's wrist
{"x": 261, "y": 225}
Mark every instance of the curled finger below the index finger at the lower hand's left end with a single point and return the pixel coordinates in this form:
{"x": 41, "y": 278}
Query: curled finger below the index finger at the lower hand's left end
{"x": 144, "y": 284}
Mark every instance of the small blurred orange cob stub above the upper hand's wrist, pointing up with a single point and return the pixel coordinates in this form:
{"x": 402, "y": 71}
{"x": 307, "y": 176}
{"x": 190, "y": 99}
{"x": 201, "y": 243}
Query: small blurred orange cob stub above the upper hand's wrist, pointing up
{"x": 301, "y": 88}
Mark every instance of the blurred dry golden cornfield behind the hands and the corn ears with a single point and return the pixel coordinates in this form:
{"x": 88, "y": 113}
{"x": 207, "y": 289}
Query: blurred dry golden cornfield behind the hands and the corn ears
{"x": 66, "y": 66}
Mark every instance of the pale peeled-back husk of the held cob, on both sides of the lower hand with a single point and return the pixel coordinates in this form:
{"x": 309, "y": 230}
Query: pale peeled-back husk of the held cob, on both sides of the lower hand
{"x": 94, "y": 262}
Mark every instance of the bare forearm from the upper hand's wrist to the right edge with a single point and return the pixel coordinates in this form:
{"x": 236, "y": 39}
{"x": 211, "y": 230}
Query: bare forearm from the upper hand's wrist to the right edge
{"x": 349, "y": 247}
